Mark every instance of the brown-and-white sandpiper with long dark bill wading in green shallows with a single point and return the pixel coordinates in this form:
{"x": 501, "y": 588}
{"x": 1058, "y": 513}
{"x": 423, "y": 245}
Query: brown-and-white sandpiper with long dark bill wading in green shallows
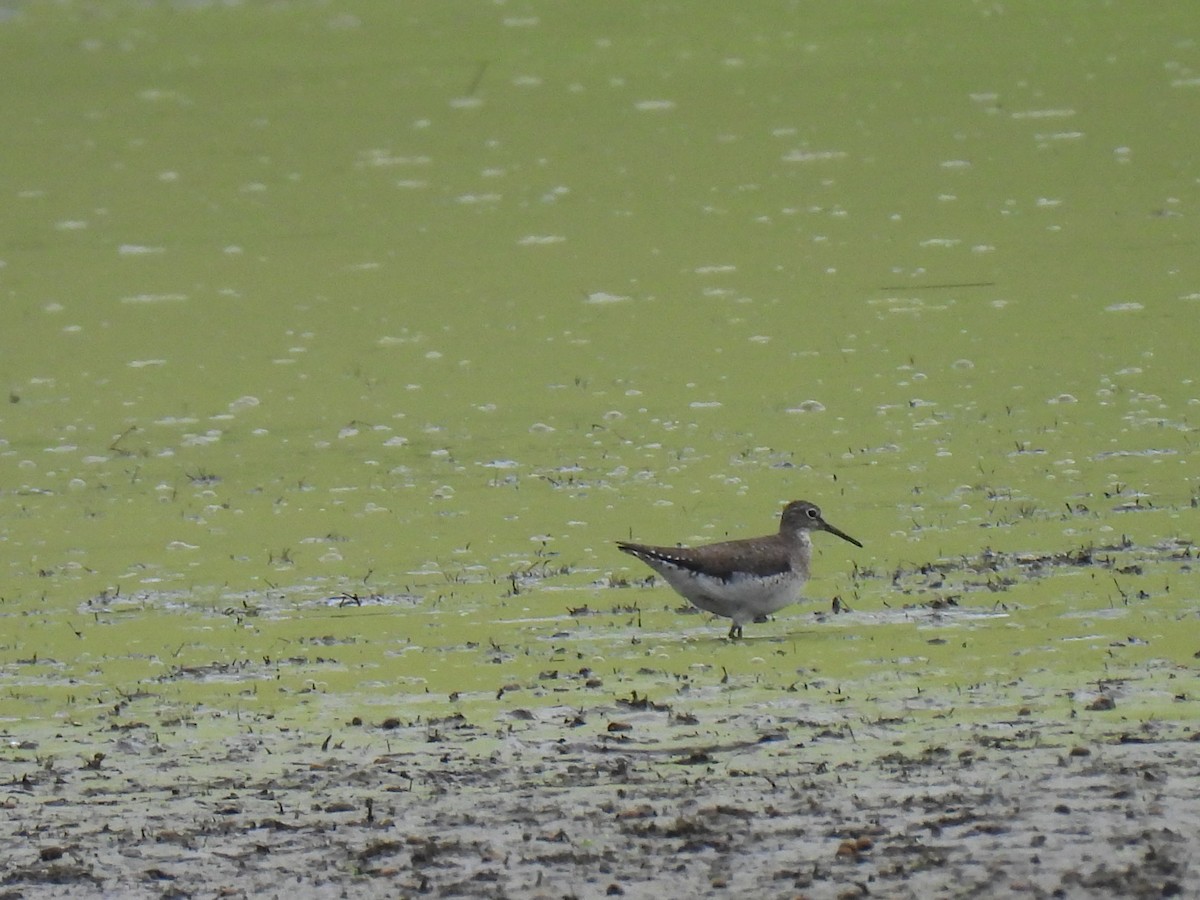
{"x": 743, "y": 580}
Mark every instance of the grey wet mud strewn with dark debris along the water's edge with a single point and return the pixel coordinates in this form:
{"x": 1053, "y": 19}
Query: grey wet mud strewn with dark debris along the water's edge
{"x": 573, "y": 805}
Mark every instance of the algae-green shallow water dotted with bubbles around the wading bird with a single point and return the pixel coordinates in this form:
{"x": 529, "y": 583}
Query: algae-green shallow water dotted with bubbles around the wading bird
{"x": 343, "y": 344}
